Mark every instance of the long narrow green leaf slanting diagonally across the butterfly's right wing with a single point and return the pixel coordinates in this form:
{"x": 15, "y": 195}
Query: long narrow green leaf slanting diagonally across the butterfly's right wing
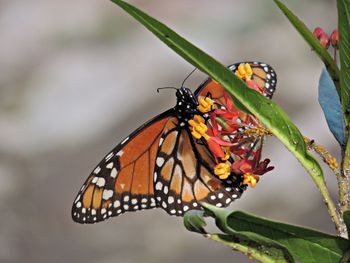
{"x": 267, "y": 111}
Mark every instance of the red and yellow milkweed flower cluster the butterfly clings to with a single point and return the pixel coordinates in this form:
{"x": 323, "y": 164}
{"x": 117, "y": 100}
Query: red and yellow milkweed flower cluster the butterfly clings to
{"x": 233, "y": 137}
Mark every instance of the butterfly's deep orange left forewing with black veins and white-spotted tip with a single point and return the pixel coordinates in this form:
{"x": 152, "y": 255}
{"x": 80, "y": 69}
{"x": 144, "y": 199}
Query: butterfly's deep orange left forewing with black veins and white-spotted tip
{"x": 123, "y": 180}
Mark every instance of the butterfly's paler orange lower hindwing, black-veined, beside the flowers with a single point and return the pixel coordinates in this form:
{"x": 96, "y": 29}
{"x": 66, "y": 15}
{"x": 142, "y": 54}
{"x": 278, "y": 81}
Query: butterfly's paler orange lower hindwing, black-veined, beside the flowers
{"x": 184, "y": 174}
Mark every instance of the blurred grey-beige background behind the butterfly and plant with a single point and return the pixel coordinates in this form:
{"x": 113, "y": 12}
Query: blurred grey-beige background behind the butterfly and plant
{"x": 78, "y": 76}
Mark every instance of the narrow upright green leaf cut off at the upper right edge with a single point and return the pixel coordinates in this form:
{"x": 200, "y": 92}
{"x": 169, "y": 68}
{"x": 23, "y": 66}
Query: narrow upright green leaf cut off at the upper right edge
{"x": 344, "y": 49}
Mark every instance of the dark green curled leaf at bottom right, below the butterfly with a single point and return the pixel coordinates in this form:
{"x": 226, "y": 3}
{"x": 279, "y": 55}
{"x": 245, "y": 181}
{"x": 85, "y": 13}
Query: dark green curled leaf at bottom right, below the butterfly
{"x": 305, "y": 245}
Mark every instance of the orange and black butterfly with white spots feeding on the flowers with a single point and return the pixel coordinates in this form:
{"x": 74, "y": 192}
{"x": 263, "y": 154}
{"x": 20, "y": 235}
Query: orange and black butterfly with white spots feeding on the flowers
{"x": 161, "y": 164}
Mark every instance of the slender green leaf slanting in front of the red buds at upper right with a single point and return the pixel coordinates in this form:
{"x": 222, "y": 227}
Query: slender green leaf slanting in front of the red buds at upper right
{"x": 313, "y": 42}
